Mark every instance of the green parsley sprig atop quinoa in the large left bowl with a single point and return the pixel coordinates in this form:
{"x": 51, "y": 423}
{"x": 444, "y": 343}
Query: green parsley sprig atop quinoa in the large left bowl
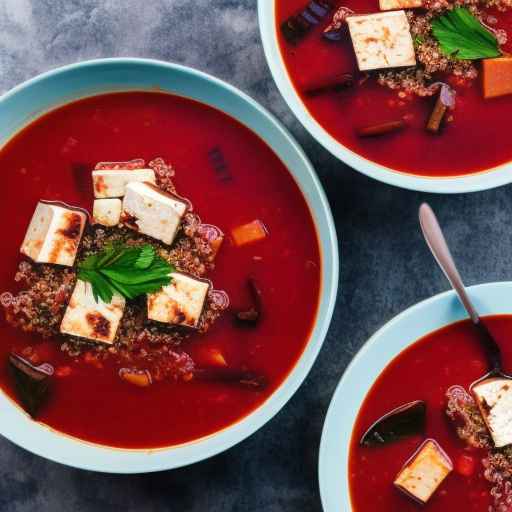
{"x": 128, "y": 271}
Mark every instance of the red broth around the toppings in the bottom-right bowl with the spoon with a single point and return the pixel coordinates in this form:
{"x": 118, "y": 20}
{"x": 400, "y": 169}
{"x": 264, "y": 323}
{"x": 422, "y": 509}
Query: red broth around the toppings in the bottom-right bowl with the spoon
{"x": 425, "y": 371}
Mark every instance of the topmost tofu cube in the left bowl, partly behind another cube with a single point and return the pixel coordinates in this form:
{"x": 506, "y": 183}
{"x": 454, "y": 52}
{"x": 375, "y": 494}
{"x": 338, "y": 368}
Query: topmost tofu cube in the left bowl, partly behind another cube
{"x": 112, "y": 182}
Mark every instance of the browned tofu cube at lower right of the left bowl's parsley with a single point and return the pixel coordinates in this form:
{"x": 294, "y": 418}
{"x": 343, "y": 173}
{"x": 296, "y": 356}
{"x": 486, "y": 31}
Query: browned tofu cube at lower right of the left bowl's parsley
{"x": 181, "y": 302}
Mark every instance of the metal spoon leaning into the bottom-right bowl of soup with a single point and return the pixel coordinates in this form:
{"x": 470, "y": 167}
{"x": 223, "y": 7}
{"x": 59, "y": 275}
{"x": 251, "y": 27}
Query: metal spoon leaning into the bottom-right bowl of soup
{"x": 437, "y": 244}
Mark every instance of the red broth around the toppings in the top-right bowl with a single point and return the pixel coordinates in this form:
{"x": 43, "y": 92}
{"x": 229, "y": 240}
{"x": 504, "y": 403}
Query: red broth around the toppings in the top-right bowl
{"x": 479, "y": 126}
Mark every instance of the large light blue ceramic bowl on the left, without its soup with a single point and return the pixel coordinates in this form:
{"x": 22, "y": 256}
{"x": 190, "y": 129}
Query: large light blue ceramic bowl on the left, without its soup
{"x": 28, "y": 101}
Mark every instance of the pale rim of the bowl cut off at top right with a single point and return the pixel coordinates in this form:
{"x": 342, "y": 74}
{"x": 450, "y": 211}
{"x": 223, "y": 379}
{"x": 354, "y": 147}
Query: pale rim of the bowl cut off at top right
{"x": 482, "y": 180}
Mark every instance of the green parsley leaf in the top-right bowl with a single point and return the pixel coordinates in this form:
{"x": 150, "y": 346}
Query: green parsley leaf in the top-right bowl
{"x": 462, "y": 36}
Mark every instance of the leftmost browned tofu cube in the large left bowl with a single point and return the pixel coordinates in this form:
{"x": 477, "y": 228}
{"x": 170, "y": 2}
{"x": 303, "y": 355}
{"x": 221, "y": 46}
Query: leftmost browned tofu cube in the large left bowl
{"x": 54, "y": 234}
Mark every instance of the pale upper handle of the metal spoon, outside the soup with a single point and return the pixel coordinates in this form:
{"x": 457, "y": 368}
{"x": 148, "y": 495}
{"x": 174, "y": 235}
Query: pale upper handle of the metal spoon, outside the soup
{"x": 437, "y": 244}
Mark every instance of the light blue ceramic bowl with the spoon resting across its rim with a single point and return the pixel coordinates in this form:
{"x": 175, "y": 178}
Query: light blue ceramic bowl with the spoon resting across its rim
{"x": 376, "y": 354}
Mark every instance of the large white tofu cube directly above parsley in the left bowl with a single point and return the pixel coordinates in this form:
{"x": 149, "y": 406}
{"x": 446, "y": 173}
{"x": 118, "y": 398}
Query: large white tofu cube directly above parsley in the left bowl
{"x": 153, "y": 212}
